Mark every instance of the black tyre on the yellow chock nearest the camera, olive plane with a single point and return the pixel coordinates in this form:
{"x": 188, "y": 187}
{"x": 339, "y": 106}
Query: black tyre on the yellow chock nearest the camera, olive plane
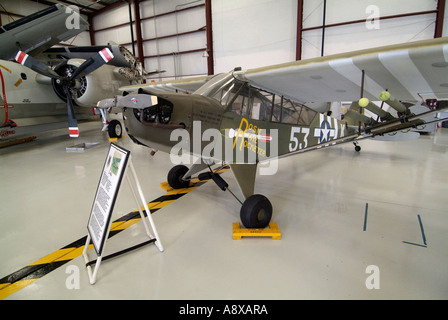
{"x": 256, "y": 212}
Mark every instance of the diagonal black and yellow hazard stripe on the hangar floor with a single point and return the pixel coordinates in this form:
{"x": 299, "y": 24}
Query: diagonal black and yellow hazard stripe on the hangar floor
{"x": 36, "y": 270}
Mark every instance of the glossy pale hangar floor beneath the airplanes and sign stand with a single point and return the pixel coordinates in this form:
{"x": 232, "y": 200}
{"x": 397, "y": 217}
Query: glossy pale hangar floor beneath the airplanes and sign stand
{"x": 329, "y": 242}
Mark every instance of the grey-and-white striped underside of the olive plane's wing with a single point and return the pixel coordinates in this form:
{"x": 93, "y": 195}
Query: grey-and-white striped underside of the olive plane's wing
{"x": 410, "y": 72}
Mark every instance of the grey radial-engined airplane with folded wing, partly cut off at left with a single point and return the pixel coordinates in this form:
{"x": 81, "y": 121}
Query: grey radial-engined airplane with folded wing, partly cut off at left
{"x": 51, "y": 83}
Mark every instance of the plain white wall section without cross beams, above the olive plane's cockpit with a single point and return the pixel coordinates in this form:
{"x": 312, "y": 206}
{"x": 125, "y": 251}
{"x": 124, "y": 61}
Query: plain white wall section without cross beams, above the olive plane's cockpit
{"x": 253, "y": 33}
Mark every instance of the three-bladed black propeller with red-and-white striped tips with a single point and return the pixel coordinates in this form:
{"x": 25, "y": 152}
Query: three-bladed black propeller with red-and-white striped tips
{"x": 67, "y": 82}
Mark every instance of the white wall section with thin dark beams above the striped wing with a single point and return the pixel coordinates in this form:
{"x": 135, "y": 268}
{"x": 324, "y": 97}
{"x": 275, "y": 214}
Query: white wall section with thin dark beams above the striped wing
{"x": 368, "y": 34}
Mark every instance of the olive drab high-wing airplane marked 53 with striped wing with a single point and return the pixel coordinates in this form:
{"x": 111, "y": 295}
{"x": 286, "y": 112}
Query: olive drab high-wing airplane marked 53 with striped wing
{"x": 245, "y": 117}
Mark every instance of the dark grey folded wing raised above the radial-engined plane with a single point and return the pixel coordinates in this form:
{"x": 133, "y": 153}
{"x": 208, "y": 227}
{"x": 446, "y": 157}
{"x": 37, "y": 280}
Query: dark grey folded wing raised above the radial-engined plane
{"x": 39, "y": 31}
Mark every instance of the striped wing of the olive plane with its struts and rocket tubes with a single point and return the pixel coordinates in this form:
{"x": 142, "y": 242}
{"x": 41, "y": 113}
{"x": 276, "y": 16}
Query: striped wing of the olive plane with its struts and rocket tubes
{"x": 414, "y": 72}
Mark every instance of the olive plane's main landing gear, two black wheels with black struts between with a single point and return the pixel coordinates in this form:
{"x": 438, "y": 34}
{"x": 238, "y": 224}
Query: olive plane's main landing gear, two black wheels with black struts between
{"x": 256, "y": 210}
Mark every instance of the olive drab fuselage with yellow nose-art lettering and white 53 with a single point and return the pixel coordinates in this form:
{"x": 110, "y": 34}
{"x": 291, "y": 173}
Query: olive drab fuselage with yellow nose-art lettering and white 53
{"x": 228, "y": 120}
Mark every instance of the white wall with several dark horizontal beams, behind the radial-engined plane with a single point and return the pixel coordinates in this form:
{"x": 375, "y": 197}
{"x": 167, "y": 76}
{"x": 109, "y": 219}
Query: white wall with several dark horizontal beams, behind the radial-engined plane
{"x": 162, "y": 51}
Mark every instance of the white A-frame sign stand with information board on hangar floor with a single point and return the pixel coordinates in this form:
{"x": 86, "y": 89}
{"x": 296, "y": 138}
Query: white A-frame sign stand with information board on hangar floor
{"x": 117, "y": 161}
